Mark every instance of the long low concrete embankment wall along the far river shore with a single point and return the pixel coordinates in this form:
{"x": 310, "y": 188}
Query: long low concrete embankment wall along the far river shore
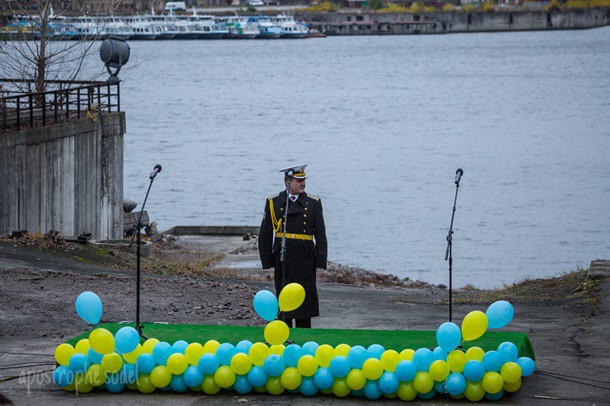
{"x": 455, "y": 22}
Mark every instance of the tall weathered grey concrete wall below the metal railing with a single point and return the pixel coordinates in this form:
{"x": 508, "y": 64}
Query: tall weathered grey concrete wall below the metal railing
{"x": 65, "y": 177}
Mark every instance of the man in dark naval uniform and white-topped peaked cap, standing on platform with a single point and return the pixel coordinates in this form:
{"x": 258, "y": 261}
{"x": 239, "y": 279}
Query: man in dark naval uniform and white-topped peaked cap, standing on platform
{"x": 306, "y": 246}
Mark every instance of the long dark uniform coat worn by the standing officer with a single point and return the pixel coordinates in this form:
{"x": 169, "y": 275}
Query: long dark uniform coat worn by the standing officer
{"x": 302, "y": 256}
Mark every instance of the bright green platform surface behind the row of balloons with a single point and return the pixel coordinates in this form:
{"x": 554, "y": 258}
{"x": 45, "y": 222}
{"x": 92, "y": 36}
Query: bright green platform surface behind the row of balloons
{"x": 389, "y": 339}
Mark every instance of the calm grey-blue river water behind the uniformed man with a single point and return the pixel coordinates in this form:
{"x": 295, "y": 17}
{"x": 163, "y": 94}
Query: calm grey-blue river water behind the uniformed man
{"x": 384, "y": 122}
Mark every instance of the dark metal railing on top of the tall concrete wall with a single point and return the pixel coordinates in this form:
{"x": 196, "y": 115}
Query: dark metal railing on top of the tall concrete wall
{"x": 71, "y": 100}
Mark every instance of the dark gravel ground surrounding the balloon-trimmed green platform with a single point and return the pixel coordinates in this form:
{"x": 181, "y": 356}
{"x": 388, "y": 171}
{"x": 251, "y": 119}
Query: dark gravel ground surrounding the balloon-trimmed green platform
{"x": 38, "y": 288}
